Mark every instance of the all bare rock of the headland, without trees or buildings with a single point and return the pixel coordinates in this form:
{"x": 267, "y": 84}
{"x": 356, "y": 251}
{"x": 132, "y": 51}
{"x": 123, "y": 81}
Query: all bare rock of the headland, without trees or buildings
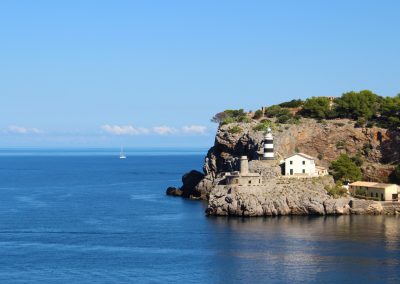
{"x": 379, "y": 148}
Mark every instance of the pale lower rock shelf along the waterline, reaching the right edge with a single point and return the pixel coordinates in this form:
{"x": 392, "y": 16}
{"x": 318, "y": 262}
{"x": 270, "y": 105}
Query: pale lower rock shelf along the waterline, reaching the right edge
{"x": 299, "y": 197}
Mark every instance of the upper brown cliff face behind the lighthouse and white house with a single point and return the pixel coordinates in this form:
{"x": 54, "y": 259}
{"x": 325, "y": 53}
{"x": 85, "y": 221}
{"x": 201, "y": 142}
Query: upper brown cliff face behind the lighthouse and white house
{"x": 379, "y": 147}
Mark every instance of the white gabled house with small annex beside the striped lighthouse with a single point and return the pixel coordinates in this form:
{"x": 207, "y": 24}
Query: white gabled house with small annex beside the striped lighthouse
{"x": 301, "y": 164}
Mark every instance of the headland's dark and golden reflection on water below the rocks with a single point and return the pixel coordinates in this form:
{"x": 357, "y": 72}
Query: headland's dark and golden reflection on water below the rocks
{"x": 301, "y": 249}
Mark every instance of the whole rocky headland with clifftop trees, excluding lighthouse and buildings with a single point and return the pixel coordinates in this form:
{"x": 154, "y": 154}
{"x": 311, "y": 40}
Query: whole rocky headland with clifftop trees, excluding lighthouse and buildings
{"x": 360, "y": 126}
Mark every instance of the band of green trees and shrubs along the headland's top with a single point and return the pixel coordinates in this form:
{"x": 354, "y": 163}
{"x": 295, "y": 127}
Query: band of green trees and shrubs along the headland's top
{"x": 364, "y": 107}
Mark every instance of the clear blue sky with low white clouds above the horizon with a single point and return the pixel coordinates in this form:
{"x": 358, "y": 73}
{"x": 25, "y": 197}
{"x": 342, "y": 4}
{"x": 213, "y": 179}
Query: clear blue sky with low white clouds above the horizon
{"x": 152, "y": 73}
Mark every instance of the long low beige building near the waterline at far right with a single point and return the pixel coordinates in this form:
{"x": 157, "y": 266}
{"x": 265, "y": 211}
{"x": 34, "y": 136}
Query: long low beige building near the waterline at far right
{"x": 381, "y": 191}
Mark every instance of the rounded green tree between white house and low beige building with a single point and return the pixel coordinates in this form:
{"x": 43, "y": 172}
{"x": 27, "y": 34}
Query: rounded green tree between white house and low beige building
{"x": 345, "y": 169}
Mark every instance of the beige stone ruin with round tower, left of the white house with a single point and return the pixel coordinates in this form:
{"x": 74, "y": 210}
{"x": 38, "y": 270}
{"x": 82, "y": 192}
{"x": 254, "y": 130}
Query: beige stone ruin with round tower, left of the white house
{"x": 243, "y": 177}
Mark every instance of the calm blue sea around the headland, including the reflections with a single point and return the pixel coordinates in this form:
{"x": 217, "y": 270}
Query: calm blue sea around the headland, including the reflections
{"x": 85, "y": 216}
